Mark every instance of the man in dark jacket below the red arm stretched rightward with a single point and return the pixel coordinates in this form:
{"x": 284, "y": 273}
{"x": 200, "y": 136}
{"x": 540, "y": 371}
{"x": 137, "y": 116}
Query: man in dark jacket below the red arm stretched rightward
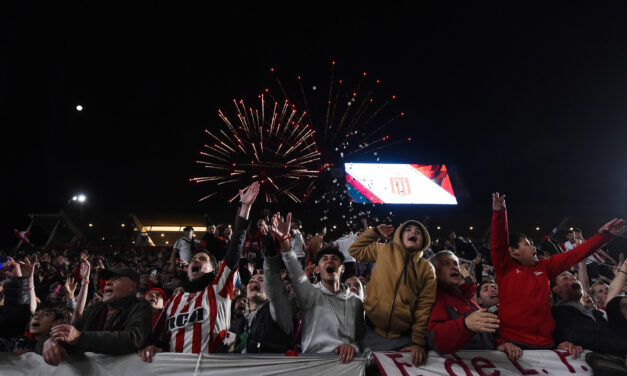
{"x": 582, "y": 325}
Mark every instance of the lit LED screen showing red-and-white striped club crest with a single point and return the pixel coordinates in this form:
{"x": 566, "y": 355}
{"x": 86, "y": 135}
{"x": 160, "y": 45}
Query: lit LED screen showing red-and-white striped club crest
{"x": 391, "y": 183}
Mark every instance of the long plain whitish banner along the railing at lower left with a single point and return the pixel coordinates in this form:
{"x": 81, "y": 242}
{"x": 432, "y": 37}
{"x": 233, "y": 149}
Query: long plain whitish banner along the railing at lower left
{"x": 175, "y": 364}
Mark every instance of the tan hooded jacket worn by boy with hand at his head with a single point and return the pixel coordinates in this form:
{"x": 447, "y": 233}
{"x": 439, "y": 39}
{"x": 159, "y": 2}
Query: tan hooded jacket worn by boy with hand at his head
{"x": 402, "y": 285}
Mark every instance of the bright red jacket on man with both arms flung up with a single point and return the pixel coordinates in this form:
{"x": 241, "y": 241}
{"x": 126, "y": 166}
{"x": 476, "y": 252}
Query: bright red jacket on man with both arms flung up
{"x": 524, "y": 292}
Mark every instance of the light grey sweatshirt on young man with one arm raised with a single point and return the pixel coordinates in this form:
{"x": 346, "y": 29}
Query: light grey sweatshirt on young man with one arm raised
{"x": 328, "y": 320}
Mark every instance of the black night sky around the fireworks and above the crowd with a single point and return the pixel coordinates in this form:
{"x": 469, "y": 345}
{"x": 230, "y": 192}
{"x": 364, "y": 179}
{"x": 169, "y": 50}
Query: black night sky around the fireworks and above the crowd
{"x": 526, "y": 99}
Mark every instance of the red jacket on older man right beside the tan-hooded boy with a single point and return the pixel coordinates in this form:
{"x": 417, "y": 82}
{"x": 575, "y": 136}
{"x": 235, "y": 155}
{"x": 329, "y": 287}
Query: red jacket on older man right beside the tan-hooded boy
{"x": 446, "y": 330}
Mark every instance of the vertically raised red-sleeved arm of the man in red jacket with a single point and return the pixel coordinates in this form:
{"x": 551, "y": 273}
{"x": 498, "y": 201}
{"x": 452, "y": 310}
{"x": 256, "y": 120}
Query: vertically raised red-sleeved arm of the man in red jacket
{"x": 499, "y": 235}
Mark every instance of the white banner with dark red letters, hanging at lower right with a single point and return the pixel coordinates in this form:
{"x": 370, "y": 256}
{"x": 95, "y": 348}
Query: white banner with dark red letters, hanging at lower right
{"x": 483, "y": 363}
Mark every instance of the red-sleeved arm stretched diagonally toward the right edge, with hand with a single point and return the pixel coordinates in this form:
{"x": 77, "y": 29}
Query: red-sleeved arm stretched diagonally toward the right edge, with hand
{"x": 558, "y": 263}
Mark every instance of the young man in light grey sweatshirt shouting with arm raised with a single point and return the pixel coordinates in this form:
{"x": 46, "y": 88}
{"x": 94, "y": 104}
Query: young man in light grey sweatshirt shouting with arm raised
{"x": 332, "y": 316}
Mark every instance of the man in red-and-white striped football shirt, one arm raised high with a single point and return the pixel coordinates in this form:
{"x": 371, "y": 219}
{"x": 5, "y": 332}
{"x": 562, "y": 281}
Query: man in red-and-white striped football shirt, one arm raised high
{"x": 195, "y": 320}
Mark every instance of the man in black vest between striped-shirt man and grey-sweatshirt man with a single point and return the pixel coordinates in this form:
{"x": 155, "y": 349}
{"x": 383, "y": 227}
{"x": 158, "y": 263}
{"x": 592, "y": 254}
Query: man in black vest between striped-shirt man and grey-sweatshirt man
{"x": 264, "y": 328}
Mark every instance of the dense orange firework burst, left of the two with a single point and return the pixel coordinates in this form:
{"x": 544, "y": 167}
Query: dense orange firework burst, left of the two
{"x": 271, "y": 144}
